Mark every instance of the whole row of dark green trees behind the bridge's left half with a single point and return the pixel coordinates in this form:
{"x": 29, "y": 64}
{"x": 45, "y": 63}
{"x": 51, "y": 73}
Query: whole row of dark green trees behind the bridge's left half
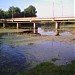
{"x": 15, "y": 12}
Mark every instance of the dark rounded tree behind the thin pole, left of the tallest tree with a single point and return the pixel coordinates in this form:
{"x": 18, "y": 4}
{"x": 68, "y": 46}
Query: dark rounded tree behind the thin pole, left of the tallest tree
{"x": 14, "y": 12}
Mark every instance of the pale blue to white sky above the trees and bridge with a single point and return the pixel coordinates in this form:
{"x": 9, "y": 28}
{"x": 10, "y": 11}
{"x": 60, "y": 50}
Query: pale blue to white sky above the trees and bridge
{"x": 45, "y": 8}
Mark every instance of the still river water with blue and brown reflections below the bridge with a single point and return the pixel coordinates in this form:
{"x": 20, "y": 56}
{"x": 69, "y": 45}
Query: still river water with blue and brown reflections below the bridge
{"x": 19, "y": 52}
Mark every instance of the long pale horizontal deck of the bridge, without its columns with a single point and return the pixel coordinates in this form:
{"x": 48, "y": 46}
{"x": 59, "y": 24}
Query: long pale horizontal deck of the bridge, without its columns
{"x": 36, "y": 19}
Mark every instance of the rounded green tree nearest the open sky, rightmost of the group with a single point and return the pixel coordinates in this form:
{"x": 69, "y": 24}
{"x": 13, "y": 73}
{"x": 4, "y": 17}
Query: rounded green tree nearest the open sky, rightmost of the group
{"x": 30, "y": 11}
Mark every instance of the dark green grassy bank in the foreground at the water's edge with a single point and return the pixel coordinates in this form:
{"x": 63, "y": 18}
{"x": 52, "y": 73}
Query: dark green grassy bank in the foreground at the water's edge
{"x": 48, "y": 68}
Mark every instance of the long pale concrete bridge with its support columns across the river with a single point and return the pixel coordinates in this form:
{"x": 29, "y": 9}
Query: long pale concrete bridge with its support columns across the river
{"x": 34, "y": 20}
